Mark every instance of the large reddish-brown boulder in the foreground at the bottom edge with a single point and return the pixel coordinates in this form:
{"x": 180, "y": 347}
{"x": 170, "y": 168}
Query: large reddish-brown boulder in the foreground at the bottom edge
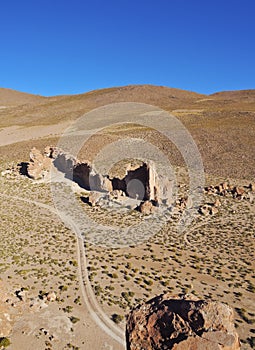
{"x": 181, "y": 324}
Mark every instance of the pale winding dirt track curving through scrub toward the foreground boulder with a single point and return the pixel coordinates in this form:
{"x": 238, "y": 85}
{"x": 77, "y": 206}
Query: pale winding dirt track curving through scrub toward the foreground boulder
{"x": 97, "y": 317}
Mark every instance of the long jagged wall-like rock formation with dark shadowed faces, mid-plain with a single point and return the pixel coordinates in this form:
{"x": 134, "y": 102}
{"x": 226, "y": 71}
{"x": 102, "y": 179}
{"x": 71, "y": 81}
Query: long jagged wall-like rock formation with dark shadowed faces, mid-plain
{"x": 140, "y": 182}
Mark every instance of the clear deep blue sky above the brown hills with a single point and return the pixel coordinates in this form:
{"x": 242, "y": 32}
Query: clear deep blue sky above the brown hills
{"x": 51, "y": 47}
